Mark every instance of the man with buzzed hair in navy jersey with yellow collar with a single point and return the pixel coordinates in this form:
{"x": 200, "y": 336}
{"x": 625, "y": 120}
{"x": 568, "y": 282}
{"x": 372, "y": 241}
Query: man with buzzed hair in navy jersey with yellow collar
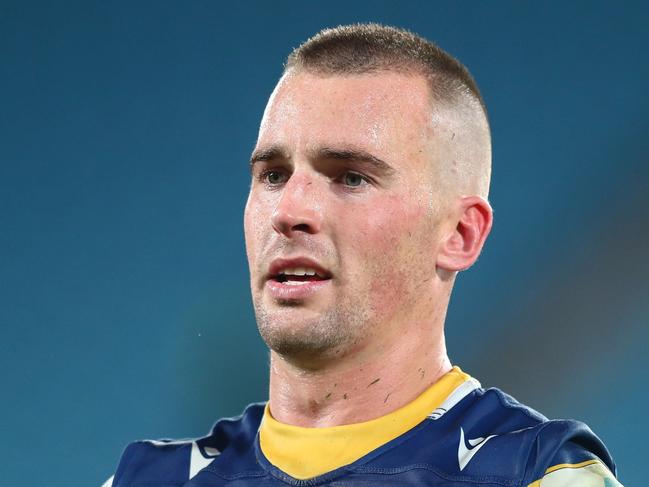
{"x": 369, "y": 194}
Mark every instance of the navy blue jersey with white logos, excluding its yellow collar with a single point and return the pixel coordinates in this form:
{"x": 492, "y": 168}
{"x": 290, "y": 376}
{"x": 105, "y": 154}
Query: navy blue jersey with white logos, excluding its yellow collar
{"x": 475, "y": 437}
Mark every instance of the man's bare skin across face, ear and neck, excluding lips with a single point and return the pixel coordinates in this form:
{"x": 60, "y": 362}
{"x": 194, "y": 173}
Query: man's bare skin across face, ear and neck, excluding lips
{"x": 391, "y": 234}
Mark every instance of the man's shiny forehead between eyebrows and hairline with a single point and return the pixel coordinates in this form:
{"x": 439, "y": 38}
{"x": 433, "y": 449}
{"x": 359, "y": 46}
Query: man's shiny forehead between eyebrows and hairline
{"x": 385, "y": 112}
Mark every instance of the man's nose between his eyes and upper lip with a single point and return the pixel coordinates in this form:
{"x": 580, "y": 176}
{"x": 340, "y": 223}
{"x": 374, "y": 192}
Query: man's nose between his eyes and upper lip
{"x": 298, "y": 208}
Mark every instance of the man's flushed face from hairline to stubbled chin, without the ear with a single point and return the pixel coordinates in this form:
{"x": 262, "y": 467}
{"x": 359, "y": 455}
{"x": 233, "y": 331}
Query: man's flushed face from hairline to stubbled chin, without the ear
{"x": 342, "y": 220}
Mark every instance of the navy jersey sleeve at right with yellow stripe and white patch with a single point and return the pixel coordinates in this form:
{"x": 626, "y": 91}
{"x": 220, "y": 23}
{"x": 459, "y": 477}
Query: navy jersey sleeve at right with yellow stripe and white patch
{"x": 569, "y": 454}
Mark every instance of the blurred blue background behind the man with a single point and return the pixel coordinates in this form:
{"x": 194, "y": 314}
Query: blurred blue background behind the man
{"x": 125, "y": 130}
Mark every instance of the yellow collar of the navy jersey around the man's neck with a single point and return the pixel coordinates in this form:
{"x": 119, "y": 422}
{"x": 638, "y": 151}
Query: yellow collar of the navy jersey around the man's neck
{"x": 307, "y": 452}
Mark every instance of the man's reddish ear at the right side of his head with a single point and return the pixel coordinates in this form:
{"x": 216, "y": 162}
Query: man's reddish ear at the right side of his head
{"x": 462, "y": 246}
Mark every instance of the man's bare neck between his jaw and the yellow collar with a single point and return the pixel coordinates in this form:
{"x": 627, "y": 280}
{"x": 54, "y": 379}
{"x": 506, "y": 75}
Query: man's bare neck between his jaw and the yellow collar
{"x": 361, "y": 386}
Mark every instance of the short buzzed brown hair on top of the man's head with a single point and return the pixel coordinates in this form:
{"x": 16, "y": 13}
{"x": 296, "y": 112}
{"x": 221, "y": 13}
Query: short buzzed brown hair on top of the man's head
{"x": 367, "y": 48}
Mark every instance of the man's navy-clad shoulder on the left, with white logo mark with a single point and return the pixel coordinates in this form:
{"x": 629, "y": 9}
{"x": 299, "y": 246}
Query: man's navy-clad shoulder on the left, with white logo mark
{"x": 174, "y": 462}
